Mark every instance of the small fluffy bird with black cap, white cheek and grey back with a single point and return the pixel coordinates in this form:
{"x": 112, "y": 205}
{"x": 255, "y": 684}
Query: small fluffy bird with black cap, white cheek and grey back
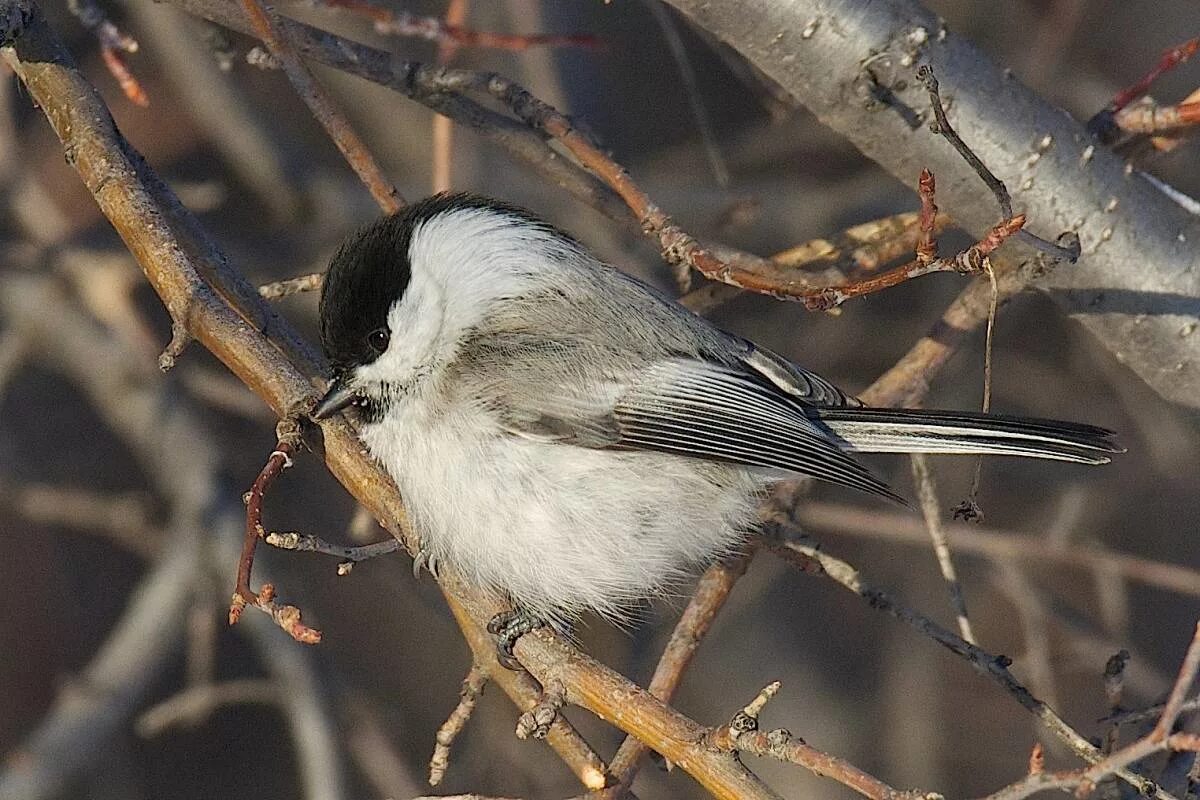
{"x": 568, "y": 438}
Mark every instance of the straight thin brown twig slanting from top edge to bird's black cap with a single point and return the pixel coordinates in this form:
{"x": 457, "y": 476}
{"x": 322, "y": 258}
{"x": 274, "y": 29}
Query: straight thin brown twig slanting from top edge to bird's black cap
{"x": 323, "y": 107}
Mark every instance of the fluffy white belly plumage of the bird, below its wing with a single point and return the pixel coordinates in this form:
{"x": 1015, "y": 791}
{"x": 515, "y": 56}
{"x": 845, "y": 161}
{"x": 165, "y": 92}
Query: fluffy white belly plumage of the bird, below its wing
{"x": 554, "y": 527}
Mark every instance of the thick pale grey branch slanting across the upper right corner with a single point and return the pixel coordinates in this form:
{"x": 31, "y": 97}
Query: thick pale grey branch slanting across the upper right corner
{"x": 854, "y": 64}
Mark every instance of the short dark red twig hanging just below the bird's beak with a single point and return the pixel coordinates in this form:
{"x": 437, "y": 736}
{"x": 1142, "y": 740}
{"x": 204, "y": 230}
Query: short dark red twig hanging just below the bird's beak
{"x": 286, "y": 617}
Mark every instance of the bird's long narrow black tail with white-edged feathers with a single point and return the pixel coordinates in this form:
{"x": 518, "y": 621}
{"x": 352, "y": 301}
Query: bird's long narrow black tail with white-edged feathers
{"x": 880, "y": 430}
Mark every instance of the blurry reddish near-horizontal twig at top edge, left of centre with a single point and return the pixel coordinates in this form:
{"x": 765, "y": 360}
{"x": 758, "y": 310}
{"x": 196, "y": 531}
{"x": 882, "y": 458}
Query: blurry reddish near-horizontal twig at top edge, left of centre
{"x": 452, "y": 32}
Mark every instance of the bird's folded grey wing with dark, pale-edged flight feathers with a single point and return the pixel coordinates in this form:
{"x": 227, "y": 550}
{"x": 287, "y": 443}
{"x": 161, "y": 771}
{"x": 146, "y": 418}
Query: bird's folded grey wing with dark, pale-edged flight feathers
{"x": 685, "y": 406}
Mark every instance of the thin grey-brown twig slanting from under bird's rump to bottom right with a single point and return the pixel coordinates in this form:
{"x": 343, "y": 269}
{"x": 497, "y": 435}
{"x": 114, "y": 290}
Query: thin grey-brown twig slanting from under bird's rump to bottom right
{"x": 992, "y": 666}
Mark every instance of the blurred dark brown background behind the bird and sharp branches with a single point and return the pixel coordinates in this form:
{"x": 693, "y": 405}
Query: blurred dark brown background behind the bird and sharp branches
{"x": 118, "y": 483}
